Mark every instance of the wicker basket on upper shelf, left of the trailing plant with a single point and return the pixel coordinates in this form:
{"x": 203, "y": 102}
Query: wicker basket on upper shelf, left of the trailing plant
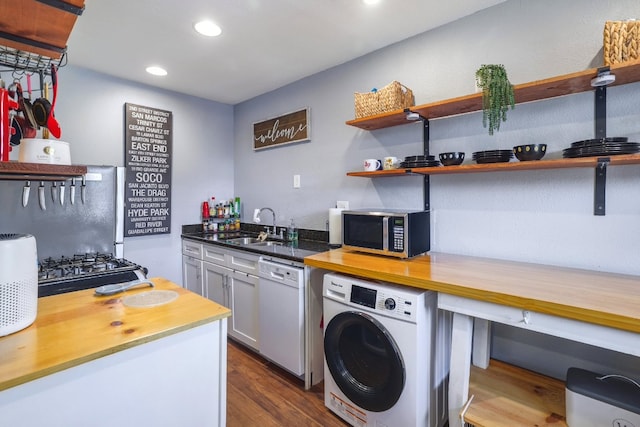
{"x": 393, "y": 96}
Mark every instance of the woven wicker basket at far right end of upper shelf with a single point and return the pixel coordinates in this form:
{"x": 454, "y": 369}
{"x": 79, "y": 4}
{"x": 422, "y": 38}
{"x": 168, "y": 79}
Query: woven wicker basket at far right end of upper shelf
{"x": 621, "y": 41}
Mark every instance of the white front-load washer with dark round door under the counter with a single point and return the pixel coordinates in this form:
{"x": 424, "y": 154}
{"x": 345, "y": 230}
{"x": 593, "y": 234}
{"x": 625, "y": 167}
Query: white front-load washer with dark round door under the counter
{"x": 386, "y": 353}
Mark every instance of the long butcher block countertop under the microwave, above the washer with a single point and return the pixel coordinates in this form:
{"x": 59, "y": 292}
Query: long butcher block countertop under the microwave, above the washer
{"x": 595, "y": 297}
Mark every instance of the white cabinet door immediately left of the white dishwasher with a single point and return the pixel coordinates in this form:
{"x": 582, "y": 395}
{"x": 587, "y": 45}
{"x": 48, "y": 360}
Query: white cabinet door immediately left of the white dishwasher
{"x": 244, "y": 324}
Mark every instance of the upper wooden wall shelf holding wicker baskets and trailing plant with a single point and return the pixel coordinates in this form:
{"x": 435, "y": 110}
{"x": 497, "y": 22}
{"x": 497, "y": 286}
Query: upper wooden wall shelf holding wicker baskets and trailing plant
{"x": 567, "y": 84}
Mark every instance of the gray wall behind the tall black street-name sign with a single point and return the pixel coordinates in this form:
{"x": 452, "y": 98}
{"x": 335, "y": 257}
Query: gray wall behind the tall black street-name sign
{"x": 90, "y": 109}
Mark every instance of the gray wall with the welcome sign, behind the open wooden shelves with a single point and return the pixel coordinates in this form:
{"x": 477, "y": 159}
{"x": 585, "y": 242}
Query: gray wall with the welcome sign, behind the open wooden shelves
{"x": 538, "y": 216}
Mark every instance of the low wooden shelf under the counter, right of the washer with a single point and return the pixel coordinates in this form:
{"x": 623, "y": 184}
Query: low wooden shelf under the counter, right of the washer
{"x": 508, "y": 396}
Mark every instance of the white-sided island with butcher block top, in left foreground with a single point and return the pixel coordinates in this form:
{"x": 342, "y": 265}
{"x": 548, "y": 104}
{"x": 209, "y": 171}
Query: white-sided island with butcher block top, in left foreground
{"x": 155, "y": 360}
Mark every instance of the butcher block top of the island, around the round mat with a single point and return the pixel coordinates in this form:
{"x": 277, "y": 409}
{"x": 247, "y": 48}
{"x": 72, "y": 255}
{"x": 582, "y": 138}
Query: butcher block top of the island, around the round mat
{"x": 77, "y": 327}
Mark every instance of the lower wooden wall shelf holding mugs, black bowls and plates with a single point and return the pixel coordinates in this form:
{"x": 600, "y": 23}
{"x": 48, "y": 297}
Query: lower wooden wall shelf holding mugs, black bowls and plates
{"x": 582, "y": 162}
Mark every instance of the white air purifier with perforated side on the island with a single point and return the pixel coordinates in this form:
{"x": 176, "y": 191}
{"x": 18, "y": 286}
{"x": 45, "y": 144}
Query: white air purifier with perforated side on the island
{"x": 18, "y": 282}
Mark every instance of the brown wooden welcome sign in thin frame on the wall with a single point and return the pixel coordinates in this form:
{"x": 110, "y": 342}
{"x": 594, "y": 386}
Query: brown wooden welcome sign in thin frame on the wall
{"x": 285, "y": 129}
